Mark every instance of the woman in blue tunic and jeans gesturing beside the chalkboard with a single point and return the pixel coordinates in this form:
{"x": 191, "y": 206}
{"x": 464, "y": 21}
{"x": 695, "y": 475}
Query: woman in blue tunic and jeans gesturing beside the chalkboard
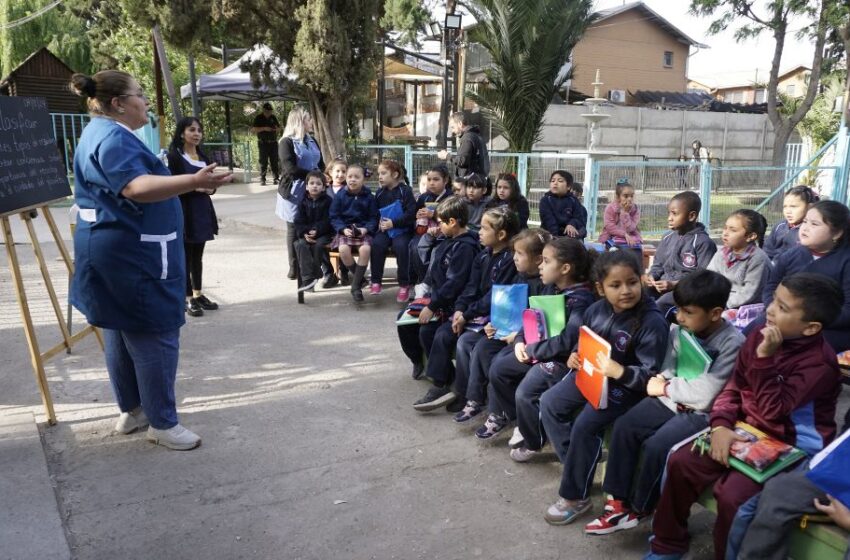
{"x": 130, "y": 267}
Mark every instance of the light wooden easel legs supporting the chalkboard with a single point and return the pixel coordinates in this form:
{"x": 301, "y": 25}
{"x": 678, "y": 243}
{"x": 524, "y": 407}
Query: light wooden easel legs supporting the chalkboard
{"x": 68, "y": 340}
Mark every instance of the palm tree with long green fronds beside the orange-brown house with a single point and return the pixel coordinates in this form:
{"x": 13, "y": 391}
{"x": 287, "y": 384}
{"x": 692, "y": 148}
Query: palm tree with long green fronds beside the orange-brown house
{"x": 529, "y": 42}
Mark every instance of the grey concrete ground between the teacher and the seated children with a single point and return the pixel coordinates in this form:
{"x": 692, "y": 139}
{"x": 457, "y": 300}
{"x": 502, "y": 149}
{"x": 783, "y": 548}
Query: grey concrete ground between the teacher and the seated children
{"x": 311, "y": 449}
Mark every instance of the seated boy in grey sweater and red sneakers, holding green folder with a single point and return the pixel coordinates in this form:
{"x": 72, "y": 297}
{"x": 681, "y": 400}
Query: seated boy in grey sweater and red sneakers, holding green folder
{"x": 676, "y": 409}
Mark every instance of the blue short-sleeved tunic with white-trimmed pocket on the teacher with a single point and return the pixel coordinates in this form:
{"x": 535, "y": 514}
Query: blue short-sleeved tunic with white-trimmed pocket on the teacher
{"x": 130, "y": 264}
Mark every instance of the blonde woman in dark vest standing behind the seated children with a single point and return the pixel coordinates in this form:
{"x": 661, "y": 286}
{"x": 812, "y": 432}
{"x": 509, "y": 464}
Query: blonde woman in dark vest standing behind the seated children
{"x": 299, "y": 154}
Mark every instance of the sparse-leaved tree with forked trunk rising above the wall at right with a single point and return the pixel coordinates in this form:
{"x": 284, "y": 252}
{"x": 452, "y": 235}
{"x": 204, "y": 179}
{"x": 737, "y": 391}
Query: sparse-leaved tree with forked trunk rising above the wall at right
{"x": 774, "y": 17}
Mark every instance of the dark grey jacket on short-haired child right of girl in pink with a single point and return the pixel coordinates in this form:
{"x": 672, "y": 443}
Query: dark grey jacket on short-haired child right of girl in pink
{"x": 680, "y": 254}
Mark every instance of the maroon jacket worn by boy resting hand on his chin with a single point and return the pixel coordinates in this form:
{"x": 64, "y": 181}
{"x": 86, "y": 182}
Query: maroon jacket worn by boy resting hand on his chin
{"x": 790, "y": 395}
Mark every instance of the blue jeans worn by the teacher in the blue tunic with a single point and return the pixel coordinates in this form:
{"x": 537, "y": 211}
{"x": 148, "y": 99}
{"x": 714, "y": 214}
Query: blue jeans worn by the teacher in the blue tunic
{"x": 142, "y": 369}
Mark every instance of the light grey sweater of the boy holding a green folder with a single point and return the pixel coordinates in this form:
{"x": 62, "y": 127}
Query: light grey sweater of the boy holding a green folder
{"x": 698, "y": 394}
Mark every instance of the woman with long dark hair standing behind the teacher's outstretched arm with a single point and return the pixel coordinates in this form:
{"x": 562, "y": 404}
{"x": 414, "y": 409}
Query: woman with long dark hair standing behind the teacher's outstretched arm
{"x": 200, "y": 223}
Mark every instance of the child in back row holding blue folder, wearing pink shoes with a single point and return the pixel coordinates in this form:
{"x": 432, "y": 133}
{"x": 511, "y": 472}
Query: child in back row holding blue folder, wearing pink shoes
{"x": 395, "y": 232}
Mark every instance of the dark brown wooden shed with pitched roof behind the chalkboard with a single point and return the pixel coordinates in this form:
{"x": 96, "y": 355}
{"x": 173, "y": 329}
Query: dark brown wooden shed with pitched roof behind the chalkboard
{"x": 43, "y": 74}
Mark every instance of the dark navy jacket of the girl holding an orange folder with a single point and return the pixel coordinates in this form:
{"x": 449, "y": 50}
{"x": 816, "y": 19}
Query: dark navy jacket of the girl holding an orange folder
{"x": 638, "y": 340}
